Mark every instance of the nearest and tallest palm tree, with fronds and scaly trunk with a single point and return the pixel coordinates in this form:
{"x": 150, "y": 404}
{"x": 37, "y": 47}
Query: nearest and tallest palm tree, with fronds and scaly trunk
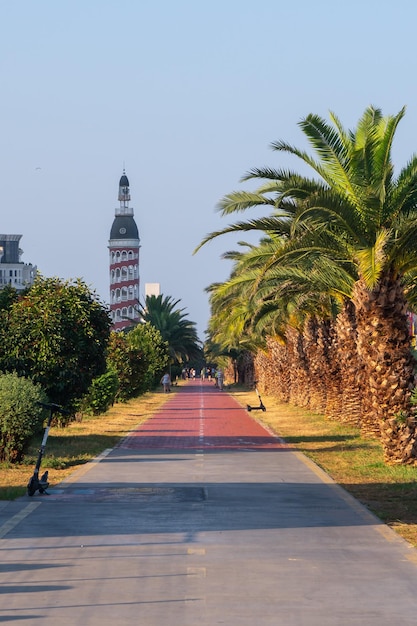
{"x": 370, "y": 215}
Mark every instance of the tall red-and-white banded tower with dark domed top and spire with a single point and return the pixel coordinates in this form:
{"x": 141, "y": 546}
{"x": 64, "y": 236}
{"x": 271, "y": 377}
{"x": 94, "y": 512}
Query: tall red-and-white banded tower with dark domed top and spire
{"x": 124, "y": 244}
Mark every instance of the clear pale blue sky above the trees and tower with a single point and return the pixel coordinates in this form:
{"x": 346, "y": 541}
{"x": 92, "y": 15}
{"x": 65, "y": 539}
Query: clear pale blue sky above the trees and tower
{"x": 187, "y": 96}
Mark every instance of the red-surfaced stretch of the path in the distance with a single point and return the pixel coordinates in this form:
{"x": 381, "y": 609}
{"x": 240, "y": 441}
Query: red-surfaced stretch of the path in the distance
{"x": 200, "y": 417}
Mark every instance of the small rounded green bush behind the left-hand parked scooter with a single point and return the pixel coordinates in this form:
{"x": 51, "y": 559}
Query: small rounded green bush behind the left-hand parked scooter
{"x": 20, "y": 415}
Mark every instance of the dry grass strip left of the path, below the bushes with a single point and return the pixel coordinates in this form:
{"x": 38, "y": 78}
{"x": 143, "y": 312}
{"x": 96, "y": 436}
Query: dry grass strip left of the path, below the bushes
{"x": 68, "y": 448}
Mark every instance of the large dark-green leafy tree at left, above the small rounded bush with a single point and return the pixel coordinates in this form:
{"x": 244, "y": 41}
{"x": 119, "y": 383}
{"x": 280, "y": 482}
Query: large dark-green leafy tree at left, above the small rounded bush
{"x": 57, "y": 335}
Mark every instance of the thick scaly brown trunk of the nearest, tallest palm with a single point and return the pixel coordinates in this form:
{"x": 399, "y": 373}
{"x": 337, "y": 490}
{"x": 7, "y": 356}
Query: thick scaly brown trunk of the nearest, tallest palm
{"x": 384, "y": 348}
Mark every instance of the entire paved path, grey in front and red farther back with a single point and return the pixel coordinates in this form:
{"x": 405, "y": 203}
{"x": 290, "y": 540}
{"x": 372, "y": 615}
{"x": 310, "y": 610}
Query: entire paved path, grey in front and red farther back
{"x": 201, "y": 517}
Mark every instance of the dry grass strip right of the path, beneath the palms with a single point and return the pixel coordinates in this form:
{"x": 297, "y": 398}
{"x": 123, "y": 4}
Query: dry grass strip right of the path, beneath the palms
{"x": 352, "y": 461}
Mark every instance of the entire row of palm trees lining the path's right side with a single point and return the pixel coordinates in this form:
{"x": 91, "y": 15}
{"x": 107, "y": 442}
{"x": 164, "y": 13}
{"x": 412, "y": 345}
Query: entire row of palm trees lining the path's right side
{"x": 332, "y": 280}
